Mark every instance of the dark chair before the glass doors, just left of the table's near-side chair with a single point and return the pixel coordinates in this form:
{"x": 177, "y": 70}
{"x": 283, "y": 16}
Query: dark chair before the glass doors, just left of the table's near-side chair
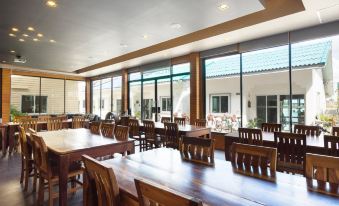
{"x": 151, "y": 138}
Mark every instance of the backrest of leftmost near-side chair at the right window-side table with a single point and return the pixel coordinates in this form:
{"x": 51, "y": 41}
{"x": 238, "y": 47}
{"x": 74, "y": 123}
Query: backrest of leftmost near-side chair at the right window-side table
{"x": 250, "y": 136}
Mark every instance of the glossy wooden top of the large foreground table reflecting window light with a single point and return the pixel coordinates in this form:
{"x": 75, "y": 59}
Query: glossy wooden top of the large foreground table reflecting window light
{"x": 217, "y": 185}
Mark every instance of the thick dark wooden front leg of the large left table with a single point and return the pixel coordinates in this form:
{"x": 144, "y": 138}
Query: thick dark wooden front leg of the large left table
{"x": 63, "y": 173}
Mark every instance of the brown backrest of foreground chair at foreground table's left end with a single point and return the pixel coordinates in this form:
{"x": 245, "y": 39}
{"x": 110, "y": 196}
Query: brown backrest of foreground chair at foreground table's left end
{"x": 106, "y": 186}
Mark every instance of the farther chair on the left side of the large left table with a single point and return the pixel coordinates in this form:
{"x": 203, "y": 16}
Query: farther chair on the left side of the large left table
{"x": 27, "y": 162}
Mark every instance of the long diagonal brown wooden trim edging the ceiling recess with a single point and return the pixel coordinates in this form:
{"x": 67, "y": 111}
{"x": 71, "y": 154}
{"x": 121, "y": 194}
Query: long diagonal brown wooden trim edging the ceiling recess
{"x": 273, "y": 9}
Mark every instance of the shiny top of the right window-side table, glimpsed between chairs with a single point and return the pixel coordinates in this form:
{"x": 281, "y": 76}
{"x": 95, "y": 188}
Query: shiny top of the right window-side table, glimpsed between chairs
{"x": 316, "y": 141}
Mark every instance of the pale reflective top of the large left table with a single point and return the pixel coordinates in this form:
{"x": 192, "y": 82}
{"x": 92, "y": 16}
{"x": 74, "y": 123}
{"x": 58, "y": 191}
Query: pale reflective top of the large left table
{"x": 70, "y": 140}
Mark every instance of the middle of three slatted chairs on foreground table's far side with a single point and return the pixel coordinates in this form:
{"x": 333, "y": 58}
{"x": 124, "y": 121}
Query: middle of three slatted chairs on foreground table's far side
{"x": 255, "y": 161}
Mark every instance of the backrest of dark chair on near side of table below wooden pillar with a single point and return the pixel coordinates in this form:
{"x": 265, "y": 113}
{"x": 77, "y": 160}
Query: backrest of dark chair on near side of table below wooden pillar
{"x": 171, "y": 135}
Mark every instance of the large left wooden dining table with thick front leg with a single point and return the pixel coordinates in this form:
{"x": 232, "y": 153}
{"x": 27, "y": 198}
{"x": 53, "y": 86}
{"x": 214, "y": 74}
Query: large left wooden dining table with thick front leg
{"x": 68, "y": 145}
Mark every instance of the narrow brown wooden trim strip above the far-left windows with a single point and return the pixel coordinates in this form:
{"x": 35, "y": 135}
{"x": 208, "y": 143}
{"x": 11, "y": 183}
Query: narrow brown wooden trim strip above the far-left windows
{"x": 48, "y": 75}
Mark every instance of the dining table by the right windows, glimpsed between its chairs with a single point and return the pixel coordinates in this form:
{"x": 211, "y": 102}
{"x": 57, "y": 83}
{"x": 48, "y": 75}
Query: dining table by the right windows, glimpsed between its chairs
{"x": 314, "y": 144}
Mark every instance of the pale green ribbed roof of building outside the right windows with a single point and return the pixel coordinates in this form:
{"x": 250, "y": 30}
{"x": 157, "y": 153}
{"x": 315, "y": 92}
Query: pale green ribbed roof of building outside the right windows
{"x": 303, "y": 55}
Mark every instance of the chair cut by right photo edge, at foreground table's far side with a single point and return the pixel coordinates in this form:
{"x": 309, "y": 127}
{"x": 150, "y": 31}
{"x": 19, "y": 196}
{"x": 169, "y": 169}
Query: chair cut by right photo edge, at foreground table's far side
{"x": 322, "y": 174}
